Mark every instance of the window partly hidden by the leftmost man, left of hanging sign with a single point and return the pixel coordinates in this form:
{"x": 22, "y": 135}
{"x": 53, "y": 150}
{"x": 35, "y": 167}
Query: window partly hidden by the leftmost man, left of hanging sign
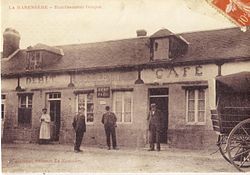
{"x": 86, "y": 101}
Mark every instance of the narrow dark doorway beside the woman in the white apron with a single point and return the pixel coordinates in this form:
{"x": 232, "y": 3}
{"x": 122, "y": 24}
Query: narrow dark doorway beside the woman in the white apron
{"x": 54, "y": 102}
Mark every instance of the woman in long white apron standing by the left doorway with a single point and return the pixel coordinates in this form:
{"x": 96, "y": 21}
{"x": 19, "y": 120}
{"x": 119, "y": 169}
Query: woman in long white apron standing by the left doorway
{"x": 44, "y": 135}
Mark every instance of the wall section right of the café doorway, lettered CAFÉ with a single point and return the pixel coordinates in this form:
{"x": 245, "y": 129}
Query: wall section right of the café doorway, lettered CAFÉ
{"x": 181, "y": 134}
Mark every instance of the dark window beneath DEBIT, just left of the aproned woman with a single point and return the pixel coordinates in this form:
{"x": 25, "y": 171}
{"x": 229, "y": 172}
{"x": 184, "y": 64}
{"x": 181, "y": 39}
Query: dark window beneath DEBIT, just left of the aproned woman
{"x": 25, "y": 109}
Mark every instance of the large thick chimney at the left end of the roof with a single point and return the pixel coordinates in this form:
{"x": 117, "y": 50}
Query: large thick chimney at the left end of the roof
{"x": 11, "y": 40}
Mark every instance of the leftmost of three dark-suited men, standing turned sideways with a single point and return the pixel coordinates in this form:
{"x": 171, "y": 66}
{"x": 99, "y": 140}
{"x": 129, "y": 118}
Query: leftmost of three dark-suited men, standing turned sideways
{"x": 79, "y": 127}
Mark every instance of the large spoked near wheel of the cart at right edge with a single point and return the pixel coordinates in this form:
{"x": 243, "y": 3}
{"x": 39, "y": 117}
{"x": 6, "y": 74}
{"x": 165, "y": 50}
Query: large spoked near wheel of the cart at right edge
{"x": 238, "y": 145}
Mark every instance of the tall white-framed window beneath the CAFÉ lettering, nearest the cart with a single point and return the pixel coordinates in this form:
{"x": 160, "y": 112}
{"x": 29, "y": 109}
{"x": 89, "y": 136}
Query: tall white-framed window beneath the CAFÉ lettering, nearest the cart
{"x": 195, "y": 106}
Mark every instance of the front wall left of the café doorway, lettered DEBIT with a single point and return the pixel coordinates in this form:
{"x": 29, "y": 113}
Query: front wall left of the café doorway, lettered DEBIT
{"x": 128, "y": 134}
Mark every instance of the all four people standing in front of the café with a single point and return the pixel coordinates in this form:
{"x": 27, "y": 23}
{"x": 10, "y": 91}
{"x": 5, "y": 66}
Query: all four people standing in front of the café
{"x": 109, "y": 120}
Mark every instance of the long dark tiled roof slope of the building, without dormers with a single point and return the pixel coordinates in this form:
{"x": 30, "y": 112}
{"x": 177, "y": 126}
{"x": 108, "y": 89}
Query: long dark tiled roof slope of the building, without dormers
{"x": 203, "y": 46}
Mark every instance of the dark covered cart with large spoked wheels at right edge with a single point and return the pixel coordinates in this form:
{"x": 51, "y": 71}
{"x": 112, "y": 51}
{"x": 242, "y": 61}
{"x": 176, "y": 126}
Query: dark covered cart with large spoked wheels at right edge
{"x": 231, "y": 119}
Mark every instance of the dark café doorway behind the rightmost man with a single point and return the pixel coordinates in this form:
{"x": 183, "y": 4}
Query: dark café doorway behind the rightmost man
{"x": 159, "y": 96}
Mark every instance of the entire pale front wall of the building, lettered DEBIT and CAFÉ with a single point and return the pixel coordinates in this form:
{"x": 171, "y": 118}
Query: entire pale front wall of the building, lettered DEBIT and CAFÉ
{"x": 128, "y": 134}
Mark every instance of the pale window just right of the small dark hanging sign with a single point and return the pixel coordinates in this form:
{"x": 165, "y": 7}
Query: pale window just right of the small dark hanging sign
{"x": 122, "y": 106}
